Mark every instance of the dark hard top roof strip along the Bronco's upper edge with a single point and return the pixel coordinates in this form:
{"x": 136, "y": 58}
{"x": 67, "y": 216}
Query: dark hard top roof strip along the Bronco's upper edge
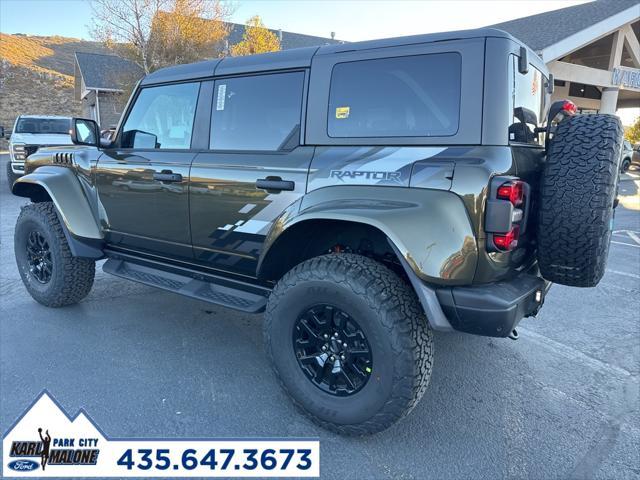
{"x": 301, "y": 57}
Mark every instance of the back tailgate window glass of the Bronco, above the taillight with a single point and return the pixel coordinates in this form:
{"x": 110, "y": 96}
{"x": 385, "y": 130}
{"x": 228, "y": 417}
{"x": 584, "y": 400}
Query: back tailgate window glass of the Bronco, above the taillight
{"x": 528, "y": 97}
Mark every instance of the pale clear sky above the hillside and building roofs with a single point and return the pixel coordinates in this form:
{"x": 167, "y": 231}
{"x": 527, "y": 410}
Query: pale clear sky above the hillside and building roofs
{"x": 350, "y": 19}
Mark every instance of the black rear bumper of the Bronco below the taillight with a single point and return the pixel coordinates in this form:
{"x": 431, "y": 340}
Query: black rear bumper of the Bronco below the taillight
{"x": 493, "y": 309}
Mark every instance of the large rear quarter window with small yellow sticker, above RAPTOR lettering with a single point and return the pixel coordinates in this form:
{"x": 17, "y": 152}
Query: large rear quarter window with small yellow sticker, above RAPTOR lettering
{"x": 413, "y": 96}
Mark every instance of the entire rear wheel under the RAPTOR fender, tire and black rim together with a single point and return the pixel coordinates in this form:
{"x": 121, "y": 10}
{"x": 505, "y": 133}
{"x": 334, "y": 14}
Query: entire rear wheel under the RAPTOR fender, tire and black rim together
{"x": 346, "y": 305}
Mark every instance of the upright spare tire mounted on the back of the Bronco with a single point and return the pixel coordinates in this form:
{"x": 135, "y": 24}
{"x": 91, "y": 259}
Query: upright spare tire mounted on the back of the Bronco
{"x": 578, "y": 189}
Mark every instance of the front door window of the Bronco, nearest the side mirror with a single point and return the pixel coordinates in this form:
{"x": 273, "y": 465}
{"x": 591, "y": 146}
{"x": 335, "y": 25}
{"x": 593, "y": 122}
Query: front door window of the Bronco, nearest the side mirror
{"x": 162, "y": 117}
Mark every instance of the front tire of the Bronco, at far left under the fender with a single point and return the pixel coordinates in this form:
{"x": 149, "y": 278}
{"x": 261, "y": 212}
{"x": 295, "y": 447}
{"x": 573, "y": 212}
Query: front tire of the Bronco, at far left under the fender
{"x": 71, "y": 278}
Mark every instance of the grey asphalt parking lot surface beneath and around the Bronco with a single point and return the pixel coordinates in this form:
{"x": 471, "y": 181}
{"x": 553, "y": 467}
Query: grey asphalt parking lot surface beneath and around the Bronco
{"x": 561, "y": 402}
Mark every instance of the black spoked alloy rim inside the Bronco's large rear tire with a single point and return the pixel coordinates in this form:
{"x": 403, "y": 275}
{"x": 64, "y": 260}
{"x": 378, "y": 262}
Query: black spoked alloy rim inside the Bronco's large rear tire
{"x": 332, "y": 350}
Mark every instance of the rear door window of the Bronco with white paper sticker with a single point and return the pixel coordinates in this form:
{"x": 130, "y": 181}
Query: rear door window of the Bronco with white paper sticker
{"x": 260, "y": 112}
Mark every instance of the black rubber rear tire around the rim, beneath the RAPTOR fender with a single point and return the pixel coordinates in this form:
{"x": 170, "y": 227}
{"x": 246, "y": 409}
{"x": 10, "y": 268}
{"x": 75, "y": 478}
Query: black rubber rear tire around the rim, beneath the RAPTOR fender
{"x": 389, "y": 313}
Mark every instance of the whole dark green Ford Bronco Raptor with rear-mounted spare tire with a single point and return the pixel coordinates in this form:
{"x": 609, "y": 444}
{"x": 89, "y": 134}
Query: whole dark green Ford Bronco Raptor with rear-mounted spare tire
{"x": 362, "y": 195}
